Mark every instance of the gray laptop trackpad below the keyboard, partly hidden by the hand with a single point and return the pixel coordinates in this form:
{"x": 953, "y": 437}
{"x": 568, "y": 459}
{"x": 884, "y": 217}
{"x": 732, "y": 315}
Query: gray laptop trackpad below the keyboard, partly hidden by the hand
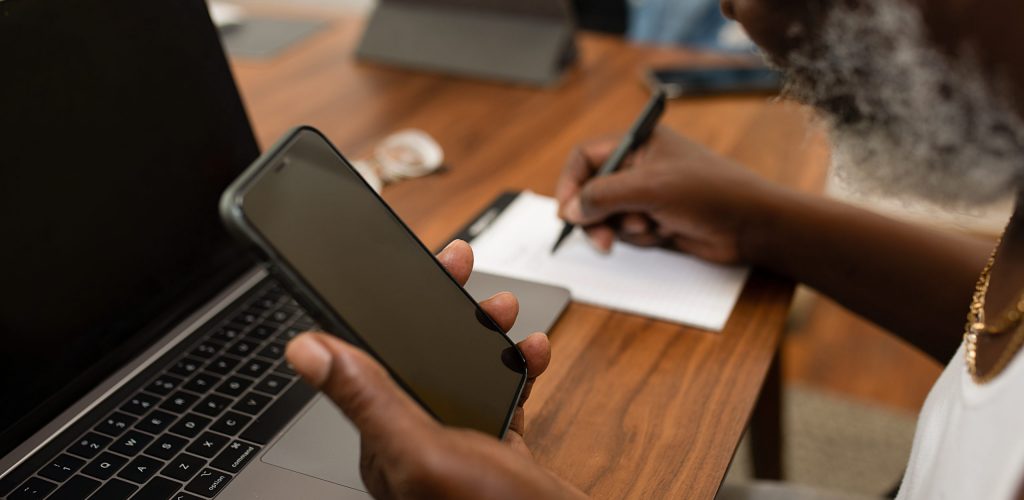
{"x": 322, "y": 444}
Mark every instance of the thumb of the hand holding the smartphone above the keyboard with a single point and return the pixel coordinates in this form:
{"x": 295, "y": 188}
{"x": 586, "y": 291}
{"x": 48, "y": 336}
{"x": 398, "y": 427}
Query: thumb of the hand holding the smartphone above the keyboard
{"x": 361, "y": 388}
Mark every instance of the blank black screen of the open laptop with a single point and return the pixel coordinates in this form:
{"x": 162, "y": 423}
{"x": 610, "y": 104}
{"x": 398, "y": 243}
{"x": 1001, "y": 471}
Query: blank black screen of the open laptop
{"x": 120, "y": 127}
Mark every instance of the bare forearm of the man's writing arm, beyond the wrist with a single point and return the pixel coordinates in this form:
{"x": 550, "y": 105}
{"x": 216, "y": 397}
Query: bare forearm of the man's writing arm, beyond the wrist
{"x": 915, "y": 281}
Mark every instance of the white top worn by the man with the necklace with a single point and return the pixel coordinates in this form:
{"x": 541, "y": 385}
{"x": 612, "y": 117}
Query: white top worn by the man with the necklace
{"x": 970, "y": 438}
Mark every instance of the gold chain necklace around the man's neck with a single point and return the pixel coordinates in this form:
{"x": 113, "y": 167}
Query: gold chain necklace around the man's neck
{"x": 1010, "y": 321}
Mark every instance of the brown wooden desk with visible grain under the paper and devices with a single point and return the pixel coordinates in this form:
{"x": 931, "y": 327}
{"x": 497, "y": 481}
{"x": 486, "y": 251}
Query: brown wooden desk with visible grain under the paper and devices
{"x": 630, "y": 407}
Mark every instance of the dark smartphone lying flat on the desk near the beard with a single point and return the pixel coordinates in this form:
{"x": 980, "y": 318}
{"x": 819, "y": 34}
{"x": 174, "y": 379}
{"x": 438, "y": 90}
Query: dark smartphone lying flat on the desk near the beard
{"x": 681, "y": 82}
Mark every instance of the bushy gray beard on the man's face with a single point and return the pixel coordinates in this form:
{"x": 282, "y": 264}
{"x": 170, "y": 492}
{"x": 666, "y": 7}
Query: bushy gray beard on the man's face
{"x": 905, "y": 119}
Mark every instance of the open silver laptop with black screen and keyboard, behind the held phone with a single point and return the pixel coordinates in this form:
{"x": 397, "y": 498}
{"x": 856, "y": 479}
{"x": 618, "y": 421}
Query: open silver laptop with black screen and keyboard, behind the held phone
{"x": 143, "y": 350}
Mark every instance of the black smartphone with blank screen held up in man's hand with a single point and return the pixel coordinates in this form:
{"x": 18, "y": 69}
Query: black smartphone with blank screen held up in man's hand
{"x": 358, "y": 270}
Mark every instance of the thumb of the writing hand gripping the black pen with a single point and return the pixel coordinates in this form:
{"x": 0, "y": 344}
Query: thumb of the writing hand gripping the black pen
{"x": 607, "y": 196}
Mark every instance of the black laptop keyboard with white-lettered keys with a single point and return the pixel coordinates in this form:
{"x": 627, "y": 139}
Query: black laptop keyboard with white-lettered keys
{"x": 194, "y": 427}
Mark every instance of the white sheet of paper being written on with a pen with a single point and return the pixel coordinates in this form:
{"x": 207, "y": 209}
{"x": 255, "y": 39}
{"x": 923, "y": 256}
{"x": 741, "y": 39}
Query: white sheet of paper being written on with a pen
{"x": 651, "y": 282}
